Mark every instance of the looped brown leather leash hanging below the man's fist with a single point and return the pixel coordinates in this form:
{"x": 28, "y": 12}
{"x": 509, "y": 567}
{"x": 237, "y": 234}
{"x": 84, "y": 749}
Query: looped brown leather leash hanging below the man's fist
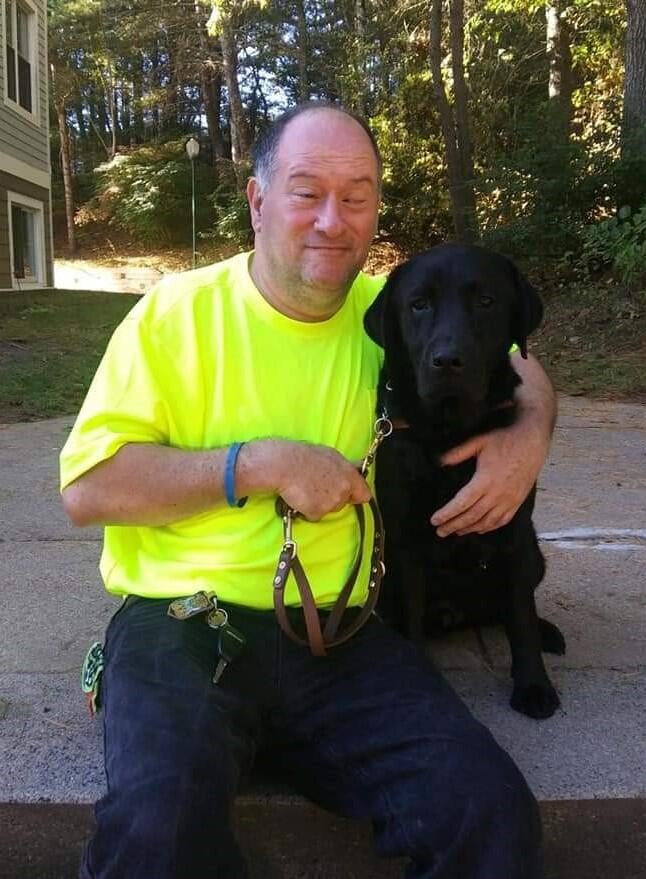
{"x": 320, "y": 640}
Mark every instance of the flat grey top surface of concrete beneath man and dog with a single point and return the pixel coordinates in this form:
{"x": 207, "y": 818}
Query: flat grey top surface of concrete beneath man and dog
{"x": 591, "y": 513}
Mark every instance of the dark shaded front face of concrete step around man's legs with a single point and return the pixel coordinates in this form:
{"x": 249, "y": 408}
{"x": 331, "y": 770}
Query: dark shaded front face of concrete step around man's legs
{"x": 584, "y": 839}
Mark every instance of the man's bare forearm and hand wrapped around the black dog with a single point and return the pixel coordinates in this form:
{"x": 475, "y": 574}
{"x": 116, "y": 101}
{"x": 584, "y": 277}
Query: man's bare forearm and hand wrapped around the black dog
{"x": 508, "y": 461}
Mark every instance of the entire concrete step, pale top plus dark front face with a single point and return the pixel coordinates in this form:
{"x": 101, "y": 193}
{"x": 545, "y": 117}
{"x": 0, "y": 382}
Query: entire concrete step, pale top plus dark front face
{"x": 586, "y": 764}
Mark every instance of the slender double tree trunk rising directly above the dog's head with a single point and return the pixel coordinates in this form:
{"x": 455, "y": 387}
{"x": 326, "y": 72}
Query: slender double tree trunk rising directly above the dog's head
{"x": 460, "y": 189}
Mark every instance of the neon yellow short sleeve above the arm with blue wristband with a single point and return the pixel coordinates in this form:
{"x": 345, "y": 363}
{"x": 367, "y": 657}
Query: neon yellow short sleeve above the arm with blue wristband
{"x": 125, "y": 402}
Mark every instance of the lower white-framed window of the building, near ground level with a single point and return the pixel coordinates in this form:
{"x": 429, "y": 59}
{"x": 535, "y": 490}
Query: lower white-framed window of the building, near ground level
{"x": 26, "y": 228}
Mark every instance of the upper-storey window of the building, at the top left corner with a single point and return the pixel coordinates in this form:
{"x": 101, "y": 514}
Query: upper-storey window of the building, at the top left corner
{"x": 20, "y": 29}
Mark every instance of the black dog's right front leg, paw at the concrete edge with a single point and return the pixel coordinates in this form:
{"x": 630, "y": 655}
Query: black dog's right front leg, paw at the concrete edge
{"x": 533, "y": 693}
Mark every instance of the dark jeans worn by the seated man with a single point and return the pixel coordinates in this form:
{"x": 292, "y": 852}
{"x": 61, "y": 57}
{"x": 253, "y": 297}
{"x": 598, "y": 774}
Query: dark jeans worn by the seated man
{"x": 371, "y": 731}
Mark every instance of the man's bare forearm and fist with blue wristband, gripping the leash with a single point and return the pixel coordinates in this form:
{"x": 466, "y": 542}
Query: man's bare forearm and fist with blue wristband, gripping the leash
{"x": 148, "y": 484}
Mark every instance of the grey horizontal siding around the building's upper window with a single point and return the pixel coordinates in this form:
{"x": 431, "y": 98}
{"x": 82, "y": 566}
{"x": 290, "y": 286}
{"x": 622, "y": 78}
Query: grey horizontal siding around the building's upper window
{"x": 19, "y": 137}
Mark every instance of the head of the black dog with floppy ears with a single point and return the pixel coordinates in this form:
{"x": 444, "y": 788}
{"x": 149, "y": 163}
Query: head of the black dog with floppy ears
{"x": 447, "y": 319}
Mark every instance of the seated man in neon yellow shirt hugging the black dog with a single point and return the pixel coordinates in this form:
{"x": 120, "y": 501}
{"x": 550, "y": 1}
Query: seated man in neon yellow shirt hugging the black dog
{"x": 268, "y": 350}
